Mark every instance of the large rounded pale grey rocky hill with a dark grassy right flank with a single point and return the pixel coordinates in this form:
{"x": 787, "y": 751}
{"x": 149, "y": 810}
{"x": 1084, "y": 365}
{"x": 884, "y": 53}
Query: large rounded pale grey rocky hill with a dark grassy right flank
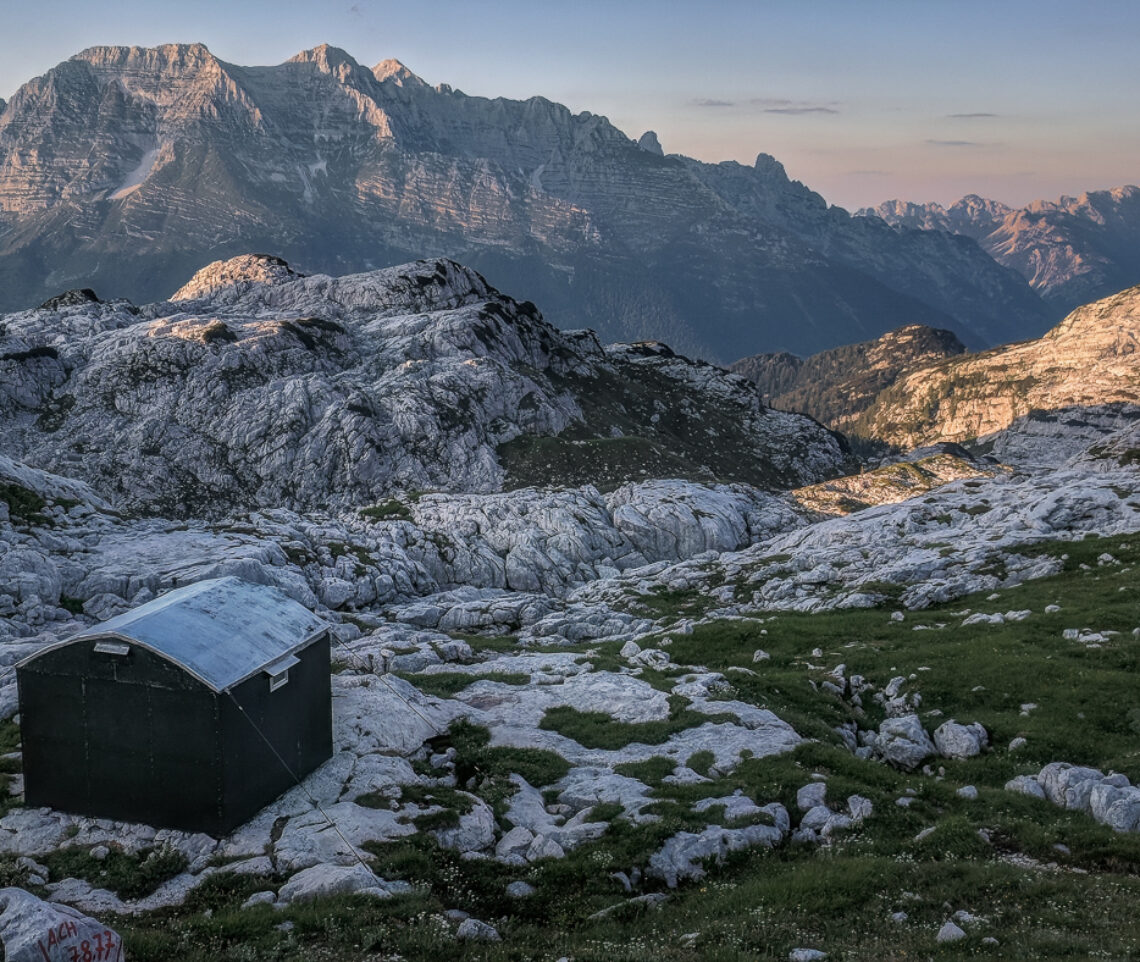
{"x": 257, "y": 386}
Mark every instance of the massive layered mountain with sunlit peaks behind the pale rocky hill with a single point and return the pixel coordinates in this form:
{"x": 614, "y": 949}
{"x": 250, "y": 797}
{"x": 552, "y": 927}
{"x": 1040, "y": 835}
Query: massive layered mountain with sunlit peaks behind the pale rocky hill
{"x": 126, "y": 169}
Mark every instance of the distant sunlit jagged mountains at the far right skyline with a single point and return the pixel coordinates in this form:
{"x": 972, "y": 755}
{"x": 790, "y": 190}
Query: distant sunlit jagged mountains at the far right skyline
{"x": 1071, "y": 251}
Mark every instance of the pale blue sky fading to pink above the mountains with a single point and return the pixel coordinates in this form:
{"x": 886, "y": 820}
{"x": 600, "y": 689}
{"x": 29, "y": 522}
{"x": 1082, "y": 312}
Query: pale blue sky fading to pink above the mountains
{"x": 864, "y": 101}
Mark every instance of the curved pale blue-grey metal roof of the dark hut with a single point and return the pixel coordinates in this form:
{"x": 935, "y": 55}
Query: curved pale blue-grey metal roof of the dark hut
{"x": 223, "y": 631}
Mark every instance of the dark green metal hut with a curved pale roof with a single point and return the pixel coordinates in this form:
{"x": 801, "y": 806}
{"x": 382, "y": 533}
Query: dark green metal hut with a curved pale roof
{"x": 192, "y": 712}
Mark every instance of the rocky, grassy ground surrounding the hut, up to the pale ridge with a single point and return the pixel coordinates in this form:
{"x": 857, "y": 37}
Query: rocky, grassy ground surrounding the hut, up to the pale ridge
{"x": 626, "y": 664}
